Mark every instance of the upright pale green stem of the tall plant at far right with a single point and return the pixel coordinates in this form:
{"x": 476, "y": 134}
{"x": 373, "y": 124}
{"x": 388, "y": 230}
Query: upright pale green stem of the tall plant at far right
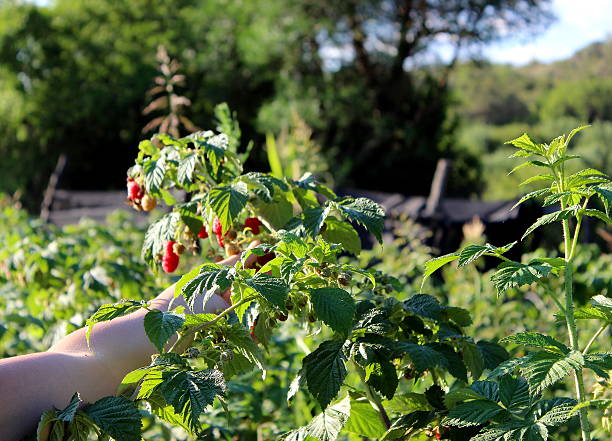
{"x": 573, "y": 336}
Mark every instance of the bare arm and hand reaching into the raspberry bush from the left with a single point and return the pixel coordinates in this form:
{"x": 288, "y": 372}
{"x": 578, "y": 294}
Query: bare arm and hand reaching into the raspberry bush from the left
{"x": 35, "y": 383}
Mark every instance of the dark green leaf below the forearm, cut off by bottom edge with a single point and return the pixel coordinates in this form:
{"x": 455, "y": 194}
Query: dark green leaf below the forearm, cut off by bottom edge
{"x": 116, "y": 416}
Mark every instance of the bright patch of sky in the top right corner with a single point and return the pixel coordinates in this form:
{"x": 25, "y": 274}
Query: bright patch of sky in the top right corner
{"x": 579, "y": 23}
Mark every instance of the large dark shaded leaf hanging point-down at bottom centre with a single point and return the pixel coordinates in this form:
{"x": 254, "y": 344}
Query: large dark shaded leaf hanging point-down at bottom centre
{"x": 325, "y": 371}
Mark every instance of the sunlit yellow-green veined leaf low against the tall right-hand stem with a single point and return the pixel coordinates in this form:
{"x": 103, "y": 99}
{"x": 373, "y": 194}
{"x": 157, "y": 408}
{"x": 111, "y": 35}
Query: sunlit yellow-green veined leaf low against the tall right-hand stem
{"x": 543, "y": 369}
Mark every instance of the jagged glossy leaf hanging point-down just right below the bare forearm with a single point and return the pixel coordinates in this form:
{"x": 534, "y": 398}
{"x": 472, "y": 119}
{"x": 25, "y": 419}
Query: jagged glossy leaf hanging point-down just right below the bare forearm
{"x": 190, "y": 392}
